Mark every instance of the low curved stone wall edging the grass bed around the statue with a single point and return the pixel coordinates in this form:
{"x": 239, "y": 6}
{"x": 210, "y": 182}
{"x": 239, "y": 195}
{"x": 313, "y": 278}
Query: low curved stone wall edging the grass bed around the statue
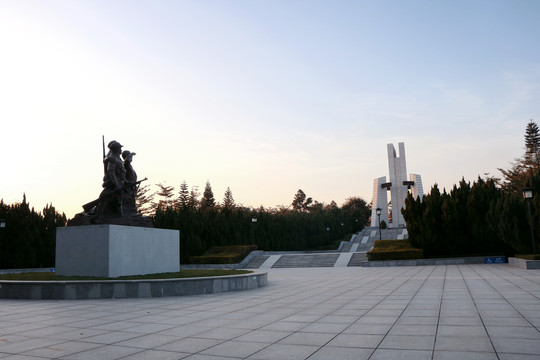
{"x": 118, "y": 289}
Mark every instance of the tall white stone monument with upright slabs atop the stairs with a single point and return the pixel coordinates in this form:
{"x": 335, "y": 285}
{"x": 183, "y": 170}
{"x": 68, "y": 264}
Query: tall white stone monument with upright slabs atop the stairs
{"x": 398, "y": 186}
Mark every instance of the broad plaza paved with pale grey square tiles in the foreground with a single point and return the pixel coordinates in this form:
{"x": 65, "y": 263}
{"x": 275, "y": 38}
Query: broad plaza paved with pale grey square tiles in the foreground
{"x": 428, "y": 312}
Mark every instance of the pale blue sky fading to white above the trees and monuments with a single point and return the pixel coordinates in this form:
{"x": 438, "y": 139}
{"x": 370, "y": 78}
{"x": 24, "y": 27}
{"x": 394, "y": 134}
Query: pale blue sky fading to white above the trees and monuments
{"x": 264, "y": 97}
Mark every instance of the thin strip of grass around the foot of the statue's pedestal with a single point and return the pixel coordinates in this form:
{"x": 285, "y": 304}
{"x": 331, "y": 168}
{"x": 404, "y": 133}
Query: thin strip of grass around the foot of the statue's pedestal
{"x": 51, "y": 276}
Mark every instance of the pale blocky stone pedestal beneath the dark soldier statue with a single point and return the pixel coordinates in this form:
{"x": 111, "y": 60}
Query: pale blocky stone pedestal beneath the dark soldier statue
{"x": 114, "y": 250}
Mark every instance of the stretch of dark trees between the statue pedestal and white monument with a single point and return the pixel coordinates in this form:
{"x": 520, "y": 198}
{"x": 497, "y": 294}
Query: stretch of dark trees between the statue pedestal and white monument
{"x": 304, "y": 225}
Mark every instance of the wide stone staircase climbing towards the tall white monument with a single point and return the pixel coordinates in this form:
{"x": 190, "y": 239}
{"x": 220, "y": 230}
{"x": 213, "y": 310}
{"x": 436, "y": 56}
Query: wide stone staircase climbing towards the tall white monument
{"x": 350, "y": 253}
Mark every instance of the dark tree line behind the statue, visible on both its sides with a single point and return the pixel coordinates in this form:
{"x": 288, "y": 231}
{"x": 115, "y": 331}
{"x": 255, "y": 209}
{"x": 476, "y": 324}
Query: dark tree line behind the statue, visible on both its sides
{"x": 29, "y": 239}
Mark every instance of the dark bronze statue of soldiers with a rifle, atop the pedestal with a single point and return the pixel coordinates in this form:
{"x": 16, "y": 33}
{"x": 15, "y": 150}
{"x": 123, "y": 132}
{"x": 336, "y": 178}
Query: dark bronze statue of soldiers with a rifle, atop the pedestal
{"x": 117, "y": 202}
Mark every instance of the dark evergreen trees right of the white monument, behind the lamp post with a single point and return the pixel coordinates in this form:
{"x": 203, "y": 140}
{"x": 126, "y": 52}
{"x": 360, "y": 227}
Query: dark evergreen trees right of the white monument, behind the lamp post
{"x": 489, "y": 216}
